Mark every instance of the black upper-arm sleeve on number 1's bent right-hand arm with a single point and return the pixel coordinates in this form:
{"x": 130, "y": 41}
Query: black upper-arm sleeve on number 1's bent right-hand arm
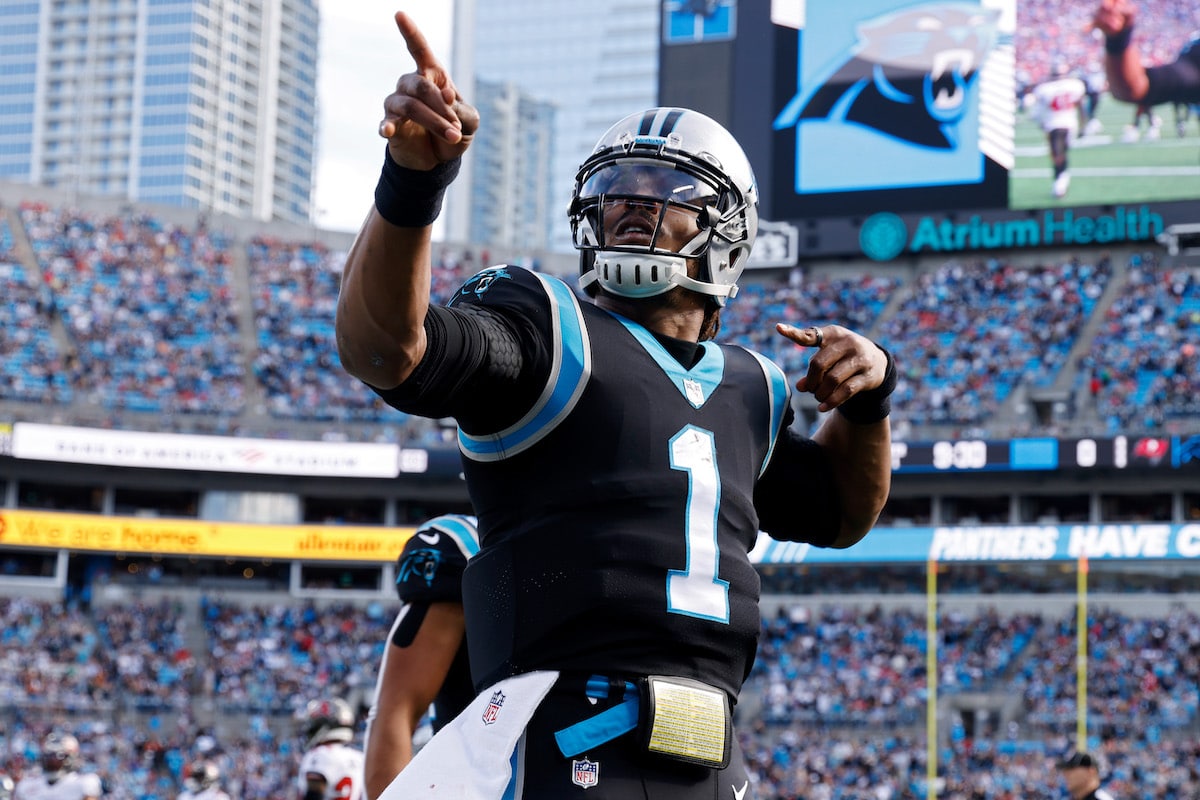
{"x": 797, "y": 498}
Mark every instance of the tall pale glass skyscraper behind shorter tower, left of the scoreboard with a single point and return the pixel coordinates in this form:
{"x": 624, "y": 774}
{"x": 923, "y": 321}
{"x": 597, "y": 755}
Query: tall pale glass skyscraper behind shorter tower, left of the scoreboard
{"x": 595, "y": 62}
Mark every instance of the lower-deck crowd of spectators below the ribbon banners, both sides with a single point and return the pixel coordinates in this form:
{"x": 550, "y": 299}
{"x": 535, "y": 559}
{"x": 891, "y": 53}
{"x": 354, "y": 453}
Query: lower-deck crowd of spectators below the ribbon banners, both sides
{"x": 835, "y": 709}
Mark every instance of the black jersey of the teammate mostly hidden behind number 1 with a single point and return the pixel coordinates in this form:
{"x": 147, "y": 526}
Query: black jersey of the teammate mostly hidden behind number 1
{"x": 430, "y": 570}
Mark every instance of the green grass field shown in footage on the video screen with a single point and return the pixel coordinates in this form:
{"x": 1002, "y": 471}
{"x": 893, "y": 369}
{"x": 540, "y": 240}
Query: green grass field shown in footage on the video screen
{"x": 1106, "y": 171}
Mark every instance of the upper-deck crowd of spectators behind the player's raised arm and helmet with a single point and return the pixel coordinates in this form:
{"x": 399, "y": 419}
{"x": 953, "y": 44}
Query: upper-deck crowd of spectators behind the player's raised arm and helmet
{"x": 131, "y": 314}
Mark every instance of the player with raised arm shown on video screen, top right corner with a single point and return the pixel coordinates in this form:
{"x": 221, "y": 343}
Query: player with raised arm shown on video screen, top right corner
{"x": 1133, "y": 82}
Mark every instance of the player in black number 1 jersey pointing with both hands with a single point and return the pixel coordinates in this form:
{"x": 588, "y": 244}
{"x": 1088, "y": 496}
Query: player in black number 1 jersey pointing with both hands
{"x": 620, "y": 461}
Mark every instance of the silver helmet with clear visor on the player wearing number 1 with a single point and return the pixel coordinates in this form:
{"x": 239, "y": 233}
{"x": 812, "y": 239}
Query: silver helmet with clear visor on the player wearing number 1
{"x": 667, "y": 159}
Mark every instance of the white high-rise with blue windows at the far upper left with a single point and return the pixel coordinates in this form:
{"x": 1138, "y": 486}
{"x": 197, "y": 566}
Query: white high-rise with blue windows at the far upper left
{"x": 202, "y": 105}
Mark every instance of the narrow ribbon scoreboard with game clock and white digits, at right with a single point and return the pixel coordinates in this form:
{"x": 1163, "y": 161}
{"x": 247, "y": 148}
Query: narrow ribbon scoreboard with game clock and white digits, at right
{"x": 1047, "y": 454}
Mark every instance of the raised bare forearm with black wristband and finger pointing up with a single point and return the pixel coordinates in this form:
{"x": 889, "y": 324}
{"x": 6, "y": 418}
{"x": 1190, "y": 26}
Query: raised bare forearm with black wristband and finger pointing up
{"x": 386, "y": 284}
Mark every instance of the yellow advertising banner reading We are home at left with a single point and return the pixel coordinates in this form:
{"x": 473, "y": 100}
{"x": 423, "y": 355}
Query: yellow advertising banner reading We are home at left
{"x": 79, "y": 532}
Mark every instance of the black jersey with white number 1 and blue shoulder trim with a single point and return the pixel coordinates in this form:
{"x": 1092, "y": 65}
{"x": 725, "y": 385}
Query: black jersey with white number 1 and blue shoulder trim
{"x": 617, "y": 515}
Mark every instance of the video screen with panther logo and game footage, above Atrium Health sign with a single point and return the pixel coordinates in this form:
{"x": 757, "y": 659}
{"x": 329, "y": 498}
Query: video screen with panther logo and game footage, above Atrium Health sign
{"x": 910, "y": 106}
